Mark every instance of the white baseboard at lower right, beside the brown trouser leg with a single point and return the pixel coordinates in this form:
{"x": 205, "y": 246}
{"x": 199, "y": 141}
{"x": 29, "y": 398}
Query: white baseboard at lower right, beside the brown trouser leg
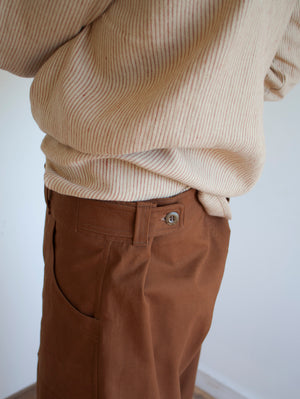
{"x": 215, "y": 388}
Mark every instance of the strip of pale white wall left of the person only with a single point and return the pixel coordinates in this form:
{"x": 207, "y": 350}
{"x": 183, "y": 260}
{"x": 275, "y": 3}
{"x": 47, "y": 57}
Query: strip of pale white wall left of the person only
{"x": 21, "y": 233}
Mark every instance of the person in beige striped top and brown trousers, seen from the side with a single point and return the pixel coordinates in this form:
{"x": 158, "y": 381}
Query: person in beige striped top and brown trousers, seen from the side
{"x": 152, "y": 114}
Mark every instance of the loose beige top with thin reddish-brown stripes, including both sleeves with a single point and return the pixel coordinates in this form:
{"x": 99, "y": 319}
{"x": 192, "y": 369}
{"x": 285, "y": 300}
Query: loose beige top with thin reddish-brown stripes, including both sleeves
{"x": 146, "y": 98}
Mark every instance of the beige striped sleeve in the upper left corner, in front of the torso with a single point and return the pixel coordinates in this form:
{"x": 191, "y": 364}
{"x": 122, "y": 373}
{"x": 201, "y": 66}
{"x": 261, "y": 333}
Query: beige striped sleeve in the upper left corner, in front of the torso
{"x": 31, "y": 30}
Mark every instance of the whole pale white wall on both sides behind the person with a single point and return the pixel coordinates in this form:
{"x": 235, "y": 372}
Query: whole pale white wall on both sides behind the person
{"x": 253, "y": 345}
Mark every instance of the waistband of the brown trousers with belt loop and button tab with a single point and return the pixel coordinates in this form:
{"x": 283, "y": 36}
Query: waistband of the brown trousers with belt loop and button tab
{"x": 137, "y": 221}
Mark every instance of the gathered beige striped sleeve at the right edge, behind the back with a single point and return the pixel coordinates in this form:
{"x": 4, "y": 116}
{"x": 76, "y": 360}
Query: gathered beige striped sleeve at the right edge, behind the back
{"x": 284, "y": 72}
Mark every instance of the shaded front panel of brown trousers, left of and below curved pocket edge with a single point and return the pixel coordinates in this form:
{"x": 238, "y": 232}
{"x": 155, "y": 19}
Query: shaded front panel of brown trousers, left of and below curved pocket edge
{"x": 67, "y": 356}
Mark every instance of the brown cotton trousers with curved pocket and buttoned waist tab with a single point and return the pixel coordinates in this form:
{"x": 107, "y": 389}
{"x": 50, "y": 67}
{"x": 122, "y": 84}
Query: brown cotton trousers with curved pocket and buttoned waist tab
{"x": 128, "y": 296}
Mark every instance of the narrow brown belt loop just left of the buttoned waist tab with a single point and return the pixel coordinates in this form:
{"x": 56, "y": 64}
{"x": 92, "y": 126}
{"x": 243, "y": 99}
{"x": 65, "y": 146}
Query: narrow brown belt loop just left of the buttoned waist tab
{"x": 142, "y": 223}
